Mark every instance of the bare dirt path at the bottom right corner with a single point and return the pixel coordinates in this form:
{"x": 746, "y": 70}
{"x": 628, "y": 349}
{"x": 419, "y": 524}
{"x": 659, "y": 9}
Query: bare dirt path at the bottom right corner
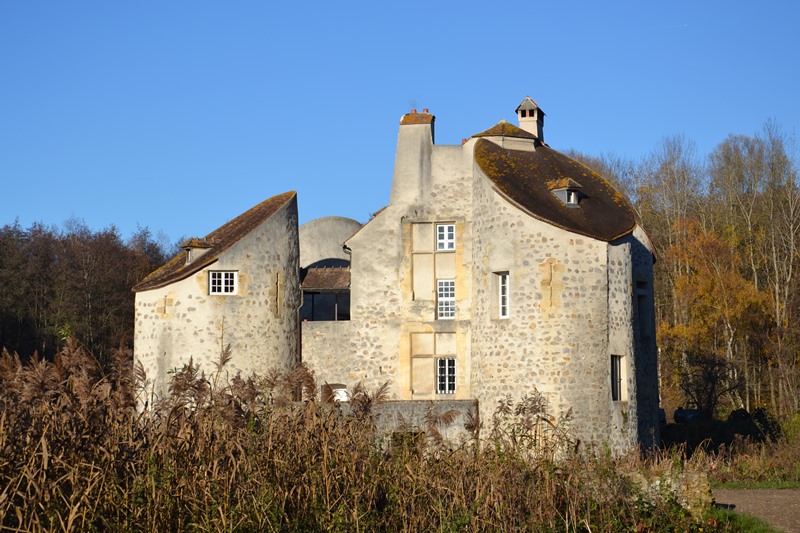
{"x": 781, "y": 508}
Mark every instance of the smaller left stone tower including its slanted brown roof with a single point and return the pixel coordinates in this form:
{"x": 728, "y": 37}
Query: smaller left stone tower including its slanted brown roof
{"x": 237, "y": 286}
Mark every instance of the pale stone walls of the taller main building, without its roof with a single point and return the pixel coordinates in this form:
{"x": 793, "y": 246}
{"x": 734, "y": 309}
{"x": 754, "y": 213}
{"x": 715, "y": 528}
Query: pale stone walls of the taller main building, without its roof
{"x": 572, "y": 302}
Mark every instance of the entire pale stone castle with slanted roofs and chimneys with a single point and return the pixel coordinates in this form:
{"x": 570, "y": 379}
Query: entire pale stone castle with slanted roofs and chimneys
{"x": 499, "y": 266}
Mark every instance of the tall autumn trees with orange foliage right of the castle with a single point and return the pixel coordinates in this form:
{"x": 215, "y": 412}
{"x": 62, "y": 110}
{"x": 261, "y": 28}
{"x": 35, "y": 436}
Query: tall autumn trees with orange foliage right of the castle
{"x": 726, "y": 229}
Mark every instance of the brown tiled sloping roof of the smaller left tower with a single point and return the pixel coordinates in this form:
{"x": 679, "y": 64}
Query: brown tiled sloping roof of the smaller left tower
{"x": 217, "y": 242}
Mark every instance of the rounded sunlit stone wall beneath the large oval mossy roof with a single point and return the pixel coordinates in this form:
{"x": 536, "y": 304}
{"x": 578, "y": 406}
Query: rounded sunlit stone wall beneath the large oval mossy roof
{"x": 556, "y": 337}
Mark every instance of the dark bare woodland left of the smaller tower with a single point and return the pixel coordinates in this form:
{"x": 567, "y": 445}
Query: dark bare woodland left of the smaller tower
{"x": 71, "y": 282}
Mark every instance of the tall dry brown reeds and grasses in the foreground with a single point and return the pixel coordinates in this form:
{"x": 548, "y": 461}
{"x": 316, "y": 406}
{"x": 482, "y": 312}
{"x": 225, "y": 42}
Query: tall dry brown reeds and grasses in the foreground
{"x": 77, "y": 455}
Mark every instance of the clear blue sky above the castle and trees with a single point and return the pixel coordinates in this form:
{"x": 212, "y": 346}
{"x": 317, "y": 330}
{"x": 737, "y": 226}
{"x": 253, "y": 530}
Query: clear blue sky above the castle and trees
{"x": 180, "y": 115}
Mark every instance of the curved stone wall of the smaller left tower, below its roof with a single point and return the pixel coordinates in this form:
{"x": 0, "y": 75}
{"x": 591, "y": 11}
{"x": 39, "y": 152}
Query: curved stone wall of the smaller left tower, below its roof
{"x": 182, "y": 322}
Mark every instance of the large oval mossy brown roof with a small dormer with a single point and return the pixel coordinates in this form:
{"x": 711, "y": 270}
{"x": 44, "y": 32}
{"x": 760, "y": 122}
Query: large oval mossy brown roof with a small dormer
{"x": 525, "y": 178}
